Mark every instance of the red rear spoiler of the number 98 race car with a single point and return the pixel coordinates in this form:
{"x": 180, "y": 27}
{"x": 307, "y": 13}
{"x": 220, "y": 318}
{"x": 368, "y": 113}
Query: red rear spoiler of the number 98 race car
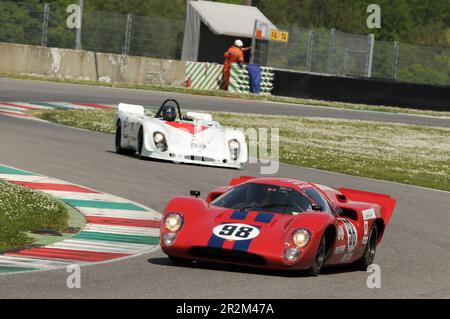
{"x": 386, "y": 202}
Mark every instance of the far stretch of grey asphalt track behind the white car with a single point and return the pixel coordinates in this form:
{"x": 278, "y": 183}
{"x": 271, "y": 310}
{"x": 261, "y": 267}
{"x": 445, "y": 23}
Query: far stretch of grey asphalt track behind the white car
{"x": 35, "y": 91}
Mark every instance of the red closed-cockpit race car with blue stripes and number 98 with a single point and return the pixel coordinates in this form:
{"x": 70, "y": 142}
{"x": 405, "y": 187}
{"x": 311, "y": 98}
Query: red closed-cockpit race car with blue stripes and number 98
{"x": 276, "y": 223}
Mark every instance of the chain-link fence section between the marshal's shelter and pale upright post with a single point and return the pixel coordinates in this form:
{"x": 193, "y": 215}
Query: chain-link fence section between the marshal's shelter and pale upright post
{"x": 318, "y": 51}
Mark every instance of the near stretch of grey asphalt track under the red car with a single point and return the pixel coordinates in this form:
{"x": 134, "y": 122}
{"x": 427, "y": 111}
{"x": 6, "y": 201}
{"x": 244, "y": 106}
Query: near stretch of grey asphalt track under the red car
{"x": 414, "y": 255}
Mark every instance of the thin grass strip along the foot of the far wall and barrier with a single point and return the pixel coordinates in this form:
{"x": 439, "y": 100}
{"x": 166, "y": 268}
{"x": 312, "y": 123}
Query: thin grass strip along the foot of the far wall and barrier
{"x": 279, "y": 99}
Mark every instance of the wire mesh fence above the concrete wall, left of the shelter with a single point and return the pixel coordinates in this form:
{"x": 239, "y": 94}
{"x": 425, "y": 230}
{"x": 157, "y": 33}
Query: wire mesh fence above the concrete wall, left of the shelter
{"x": 45, "y": 24}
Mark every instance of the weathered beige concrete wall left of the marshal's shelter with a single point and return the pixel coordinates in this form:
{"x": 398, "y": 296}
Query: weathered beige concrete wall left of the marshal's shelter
{"x": 85, "y": 65}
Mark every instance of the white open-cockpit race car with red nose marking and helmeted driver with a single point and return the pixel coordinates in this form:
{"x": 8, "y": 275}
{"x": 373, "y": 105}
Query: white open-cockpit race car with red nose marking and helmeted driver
{"x": 193, "y": 138}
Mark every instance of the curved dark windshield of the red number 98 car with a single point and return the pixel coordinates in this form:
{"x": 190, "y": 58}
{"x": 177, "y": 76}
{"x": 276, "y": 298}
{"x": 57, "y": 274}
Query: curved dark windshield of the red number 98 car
{"x": 264, "y": 197}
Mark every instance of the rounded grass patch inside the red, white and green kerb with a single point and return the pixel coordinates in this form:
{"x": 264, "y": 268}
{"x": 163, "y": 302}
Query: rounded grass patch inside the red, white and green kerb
{"x": 23, "y": 210}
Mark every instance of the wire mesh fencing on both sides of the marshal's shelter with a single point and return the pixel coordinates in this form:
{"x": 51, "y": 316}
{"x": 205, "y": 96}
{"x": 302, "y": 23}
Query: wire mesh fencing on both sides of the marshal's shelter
{"x": 318, "y": 51}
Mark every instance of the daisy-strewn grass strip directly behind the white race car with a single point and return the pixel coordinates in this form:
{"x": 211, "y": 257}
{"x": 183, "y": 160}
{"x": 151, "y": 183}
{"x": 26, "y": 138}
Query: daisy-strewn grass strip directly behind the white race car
{"x": 416, "y": 155}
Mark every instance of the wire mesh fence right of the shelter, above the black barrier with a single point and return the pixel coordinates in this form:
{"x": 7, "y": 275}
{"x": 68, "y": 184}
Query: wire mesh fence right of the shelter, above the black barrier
{"x": 339, "y": 53}
